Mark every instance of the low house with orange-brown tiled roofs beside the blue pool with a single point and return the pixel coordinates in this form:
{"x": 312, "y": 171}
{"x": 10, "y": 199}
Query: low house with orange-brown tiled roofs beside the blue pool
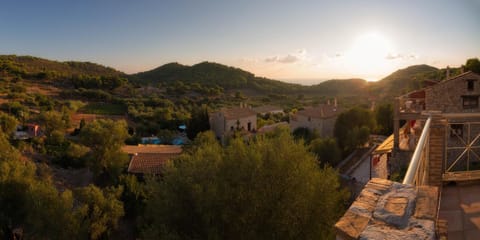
{"x": 150, "y": 159}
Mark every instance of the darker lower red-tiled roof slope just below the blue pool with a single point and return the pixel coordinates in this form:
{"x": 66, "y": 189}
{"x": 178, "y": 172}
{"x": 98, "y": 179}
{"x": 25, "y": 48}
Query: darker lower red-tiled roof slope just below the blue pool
{"x": 149, "y": 163}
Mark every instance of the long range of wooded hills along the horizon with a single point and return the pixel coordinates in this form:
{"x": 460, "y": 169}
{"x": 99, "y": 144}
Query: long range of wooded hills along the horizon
{"x": 228, "y": 78}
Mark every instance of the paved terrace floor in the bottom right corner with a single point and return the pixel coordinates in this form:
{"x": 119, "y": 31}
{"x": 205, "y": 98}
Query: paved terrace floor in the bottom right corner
{"x": 460, "y": 206}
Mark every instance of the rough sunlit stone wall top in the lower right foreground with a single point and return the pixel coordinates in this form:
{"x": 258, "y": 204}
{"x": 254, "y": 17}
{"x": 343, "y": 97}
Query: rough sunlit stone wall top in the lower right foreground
{"x": 390, "y": 210}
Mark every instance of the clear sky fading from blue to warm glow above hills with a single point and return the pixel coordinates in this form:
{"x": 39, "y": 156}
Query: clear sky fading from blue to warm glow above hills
{"x": 297, "y": 41}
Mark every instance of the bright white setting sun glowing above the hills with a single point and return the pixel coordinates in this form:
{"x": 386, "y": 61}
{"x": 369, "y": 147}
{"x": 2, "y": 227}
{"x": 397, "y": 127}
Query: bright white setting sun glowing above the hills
{"x": 368, "y": 55}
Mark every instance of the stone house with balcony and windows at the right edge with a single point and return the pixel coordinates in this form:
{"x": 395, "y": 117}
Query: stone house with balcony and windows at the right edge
{"x": 455, "y": 104}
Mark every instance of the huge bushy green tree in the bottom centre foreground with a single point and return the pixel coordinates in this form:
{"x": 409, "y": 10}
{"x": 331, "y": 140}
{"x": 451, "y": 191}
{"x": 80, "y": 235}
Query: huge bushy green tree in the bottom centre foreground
{"x": 270, "y": 188}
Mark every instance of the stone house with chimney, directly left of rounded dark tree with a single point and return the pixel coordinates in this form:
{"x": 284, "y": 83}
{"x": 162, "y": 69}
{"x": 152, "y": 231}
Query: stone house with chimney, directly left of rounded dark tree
{"x": 321, "y": 119}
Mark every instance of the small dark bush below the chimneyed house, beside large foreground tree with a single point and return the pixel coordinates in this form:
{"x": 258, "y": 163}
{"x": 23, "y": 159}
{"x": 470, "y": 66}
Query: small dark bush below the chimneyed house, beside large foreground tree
{"x": 327, "y": 150}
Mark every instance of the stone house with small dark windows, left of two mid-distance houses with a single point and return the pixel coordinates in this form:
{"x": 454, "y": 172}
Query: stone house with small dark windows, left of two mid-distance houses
{"x": 228, "y": 120}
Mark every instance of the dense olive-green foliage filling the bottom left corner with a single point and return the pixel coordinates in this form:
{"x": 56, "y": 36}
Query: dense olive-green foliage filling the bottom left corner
{"x": 33, "y": 206}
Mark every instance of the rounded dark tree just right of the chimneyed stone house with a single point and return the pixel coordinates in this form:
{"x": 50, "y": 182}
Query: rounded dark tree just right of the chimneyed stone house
{"x": 353, "y": 127}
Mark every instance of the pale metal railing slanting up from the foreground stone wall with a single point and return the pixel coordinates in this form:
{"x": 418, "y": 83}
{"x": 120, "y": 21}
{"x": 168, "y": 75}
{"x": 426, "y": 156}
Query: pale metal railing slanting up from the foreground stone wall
{"x": 417, "y": 169}
